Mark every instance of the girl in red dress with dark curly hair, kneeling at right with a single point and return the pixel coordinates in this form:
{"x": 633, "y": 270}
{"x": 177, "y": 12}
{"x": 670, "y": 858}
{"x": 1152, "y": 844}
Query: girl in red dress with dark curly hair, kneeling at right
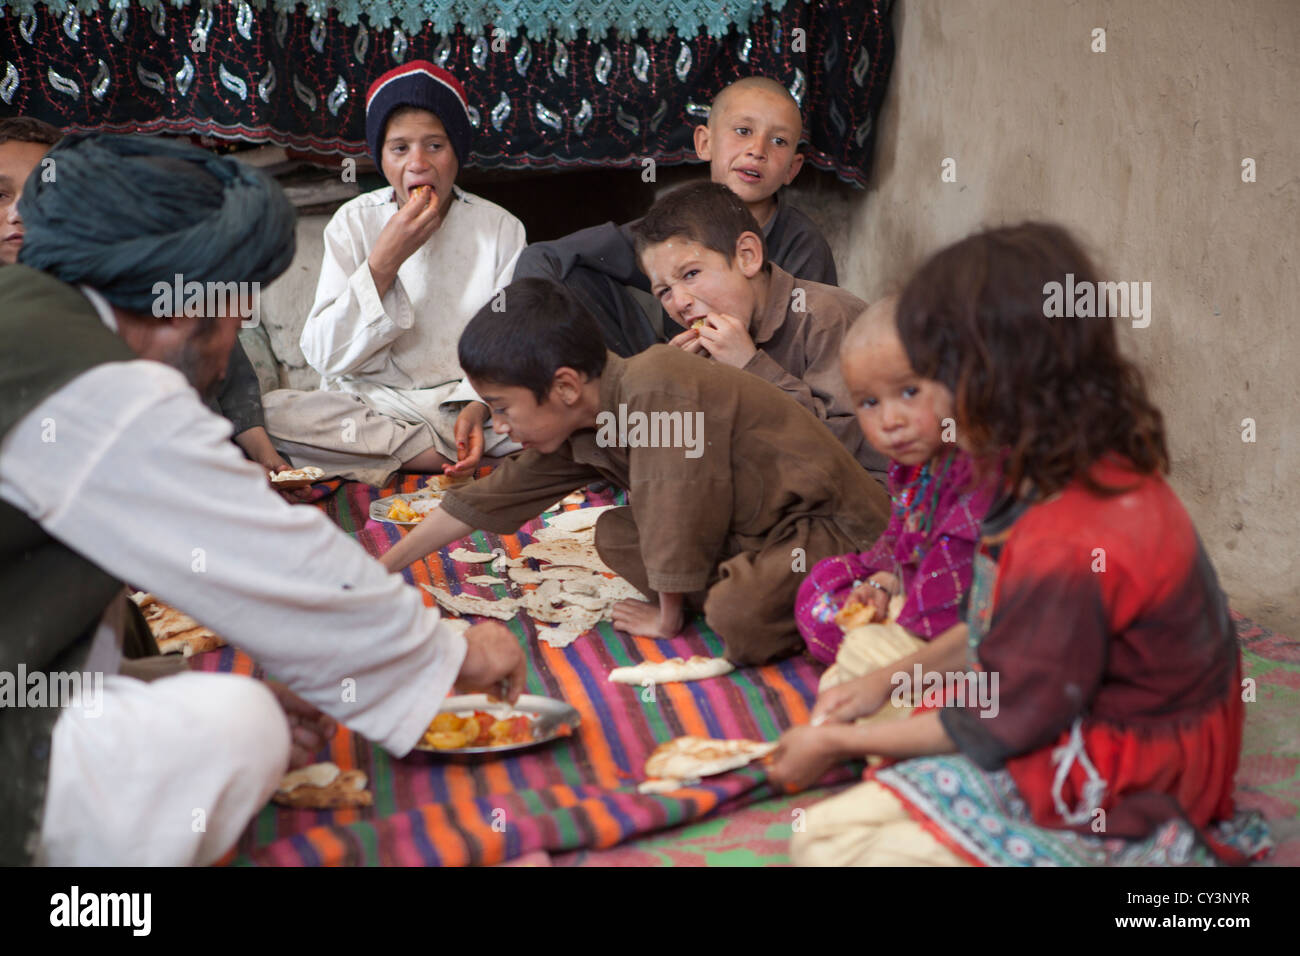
{"x": 1107, "y": 726}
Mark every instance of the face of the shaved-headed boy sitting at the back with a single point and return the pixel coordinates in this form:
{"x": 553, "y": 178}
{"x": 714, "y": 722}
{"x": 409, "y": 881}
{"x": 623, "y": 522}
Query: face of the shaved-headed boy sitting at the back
{"x": 753, "y": 146}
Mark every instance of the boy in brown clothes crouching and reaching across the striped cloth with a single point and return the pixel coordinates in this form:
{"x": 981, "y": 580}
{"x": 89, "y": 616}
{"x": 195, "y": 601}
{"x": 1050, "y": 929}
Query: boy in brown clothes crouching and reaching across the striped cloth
{"x": 734, "y": 488}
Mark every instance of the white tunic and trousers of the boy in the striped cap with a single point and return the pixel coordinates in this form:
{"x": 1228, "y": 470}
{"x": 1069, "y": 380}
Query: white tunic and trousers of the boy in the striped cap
{"x": 396, "y": 353}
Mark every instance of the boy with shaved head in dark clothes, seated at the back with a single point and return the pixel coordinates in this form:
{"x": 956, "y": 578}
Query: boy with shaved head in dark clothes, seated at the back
{"x": 751, "y": 144}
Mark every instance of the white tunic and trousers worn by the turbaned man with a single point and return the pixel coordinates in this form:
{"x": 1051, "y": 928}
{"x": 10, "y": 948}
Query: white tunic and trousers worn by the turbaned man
{"x": 144, "y": 481}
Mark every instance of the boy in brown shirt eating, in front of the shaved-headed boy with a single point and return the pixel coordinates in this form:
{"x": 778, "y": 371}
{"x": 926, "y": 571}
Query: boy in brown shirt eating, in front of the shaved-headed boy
{"x": 708, "y": 265}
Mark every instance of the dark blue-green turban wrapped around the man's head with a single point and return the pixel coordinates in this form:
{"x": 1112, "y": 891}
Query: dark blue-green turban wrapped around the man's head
{"x": 124, "y": 213}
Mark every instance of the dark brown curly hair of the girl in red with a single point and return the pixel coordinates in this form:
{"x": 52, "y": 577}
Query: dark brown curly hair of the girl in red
{"x": 1054, "y": 393}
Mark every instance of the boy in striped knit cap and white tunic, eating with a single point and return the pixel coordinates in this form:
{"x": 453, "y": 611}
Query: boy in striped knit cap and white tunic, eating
{"x": 406, "y": 267}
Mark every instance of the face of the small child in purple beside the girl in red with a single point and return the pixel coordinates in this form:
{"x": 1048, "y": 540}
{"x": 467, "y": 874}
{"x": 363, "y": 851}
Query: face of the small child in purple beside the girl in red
{"x": 903, "y": 416}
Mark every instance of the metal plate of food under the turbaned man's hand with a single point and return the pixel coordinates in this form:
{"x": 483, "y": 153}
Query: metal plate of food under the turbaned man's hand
{"x": 467, "y": 725}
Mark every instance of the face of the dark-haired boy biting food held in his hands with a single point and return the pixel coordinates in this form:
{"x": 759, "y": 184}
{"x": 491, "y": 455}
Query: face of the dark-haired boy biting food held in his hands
{"x": 692, "y": 280}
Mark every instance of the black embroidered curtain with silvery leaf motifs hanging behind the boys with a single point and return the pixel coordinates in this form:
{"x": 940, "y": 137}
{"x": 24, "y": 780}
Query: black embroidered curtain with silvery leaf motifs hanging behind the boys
{"x": 291, "y": 79}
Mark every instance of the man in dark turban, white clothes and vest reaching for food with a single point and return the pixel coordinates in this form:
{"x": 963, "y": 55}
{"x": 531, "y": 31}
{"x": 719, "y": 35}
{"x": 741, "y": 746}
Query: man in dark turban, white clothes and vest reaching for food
{"x": 112, "y": 470}
